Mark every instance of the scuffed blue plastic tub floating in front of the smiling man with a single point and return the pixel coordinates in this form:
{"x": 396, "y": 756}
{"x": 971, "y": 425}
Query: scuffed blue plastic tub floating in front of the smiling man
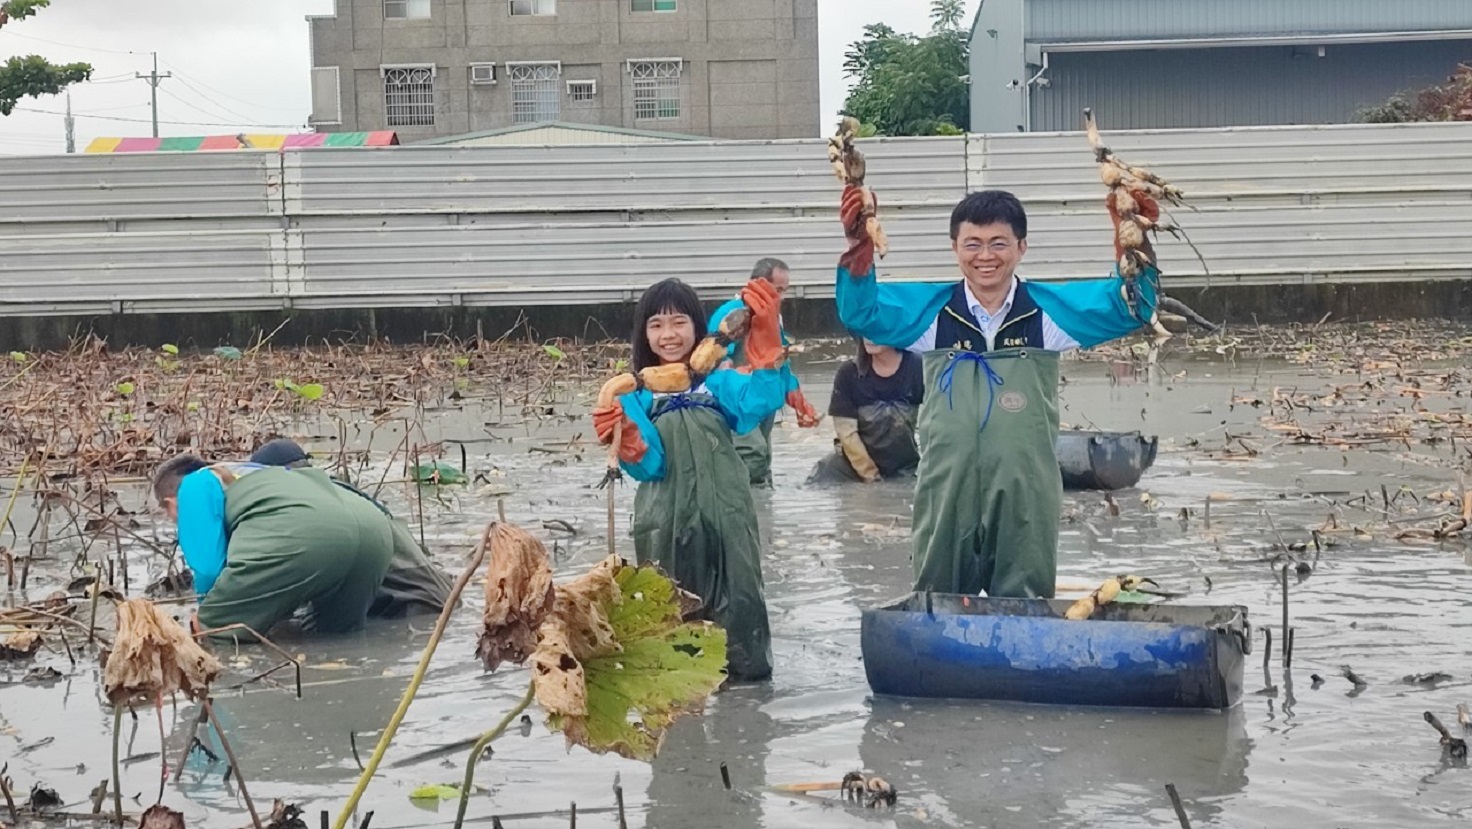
{"x": 1155, "y": 656}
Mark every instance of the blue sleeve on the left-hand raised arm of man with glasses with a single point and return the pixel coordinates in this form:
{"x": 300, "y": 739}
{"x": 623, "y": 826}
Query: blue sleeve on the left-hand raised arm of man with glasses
{"x": 896, "y": 314}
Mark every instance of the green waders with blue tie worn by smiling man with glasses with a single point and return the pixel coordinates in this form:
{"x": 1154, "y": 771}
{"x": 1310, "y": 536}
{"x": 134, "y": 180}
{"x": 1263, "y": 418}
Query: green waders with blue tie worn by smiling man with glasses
{"x": 988, "y": 494}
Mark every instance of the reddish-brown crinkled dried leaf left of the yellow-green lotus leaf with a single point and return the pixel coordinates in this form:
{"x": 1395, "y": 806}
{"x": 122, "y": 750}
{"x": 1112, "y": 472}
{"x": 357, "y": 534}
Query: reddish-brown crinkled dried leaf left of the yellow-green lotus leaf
{"x": 519, "y": 596}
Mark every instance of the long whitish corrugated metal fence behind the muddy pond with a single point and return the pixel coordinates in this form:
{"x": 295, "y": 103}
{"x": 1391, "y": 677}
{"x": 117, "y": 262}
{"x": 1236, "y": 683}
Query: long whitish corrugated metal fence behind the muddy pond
{"x": 556, "y": 226}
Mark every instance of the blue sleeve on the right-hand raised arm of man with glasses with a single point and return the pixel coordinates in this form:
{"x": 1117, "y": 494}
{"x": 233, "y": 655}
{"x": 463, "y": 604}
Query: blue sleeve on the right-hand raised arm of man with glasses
{"x": 1094, "y": 311}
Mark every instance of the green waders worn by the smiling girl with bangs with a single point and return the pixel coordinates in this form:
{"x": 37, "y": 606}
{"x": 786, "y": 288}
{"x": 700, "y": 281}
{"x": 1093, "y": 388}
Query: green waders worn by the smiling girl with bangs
{"x": 700, "y": 525}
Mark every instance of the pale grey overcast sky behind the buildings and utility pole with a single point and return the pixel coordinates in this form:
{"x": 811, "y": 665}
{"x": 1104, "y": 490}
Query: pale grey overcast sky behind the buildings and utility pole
{"x": 242, "y": 66}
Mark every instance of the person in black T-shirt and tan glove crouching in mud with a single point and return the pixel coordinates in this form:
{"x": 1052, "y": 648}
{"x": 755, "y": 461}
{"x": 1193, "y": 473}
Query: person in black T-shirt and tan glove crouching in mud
{"x": 874, "y": 407}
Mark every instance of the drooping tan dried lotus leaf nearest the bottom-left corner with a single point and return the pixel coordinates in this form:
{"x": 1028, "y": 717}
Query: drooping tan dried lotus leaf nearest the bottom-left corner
{"x": 155, "y": 657}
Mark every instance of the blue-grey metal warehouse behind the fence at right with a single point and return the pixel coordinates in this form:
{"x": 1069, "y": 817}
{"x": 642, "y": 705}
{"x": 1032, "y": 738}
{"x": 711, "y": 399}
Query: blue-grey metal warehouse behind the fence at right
{"x": 1161, "y": 64}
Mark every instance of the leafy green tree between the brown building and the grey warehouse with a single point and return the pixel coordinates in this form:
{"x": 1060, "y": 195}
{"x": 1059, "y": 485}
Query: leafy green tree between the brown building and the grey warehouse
{"x": 910, "y": 85}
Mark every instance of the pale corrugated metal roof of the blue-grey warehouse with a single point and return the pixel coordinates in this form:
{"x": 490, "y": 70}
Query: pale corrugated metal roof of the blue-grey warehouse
{"x": 1152, "y": 20}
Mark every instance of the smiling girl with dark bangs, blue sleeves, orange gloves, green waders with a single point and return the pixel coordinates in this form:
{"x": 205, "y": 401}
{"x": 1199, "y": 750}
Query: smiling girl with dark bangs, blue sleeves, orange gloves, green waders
{"x": 694, "y": 513}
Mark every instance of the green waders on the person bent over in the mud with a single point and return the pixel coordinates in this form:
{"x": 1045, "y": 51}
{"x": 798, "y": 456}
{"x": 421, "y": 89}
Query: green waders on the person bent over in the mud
{"x": 298, "y": 538}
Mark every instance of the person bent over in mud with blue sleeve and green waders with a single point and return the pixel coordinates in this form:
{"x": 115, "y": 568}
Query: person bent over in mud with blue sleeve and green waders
{"x": 266, "y": 541}
